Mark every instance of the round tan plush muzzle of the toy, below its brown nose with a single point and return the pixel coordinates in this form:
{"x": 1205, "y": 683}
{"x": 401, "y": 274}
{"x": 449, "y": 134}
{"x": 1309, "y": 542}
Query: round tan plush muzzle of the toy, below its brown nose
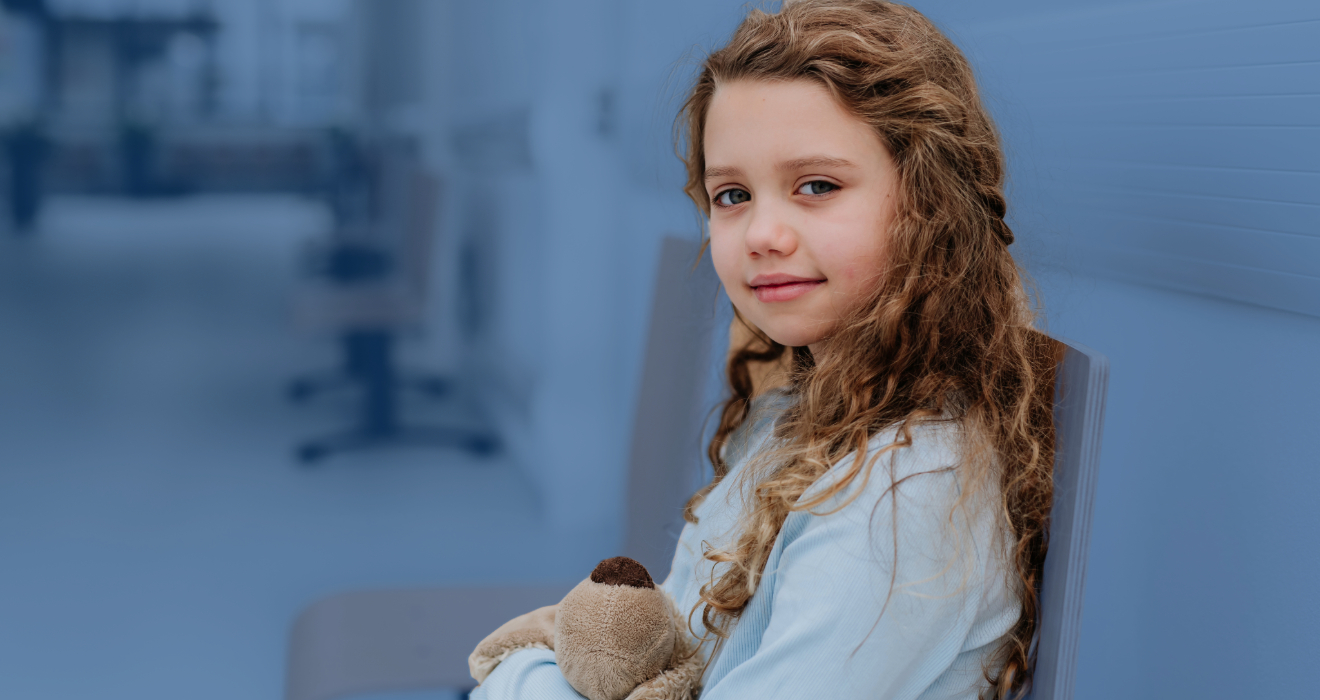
{"x": 610, "y": 639}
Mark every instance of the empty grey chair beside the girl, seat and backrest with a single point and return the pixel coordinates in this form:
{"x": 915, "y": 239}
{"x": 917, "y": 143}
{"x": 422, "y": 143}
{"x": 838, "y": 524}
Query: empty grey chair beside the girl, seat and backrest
{"x": 381, "y": 641}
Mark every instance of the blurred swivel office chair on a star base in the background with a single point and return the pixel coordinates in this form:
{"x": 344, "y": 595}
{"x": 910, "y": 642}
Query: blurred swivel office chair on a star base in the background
{"x": 370, "y": 286}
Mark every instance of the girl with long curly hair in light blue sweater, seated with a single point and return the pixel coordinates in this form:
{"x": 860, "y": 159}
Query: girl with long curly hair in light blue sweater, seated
{"x": 876, "y": 526}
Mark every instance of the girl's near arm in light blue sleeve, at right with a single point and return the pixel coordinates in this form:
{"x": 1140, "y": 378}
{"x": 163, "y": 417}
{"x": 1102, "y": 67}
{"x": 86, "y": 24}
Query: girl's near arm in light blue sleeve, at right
{"x": 827, "y": 637}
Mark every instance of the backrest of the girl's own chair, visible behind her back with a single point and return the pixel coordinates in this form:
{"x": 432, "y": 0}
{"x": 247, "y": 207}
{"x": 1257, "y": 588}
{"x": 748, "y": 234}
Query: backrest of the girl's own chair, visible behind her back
{"x": 1080, "y": 385}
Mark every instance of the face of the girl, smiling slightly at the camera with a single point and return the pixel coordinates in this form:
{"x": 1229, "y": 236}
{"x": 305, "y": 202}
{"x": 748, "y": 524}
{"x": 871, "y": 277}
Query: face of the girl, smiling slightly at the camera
{"x": 802, "y": 200}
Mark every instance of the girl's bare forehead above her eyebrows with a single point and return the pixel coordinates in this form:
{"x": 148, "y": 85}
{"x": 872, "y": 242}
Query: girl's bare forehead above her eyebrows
{"x": 756, "y": 123}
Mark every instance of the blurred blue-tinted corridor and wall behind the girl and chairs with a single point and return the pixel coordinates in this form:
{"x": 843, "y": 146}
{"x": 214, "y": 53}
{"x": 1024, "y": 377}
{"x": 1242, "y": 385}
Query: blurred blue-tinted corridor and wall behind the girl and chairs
{"x": 246, "y": 244}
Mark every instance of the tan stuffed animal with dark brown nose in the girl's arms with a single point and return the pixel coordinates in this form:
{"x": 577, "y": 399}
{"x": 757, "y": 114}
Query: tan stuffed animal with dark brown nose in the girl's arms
{"x": 616, "y": 637}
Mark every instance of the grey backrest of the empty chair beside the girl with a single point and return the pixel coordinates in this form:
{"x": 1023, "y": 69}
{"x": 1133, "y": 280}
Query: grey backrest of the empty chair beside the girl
{"x": 667, "y": 426}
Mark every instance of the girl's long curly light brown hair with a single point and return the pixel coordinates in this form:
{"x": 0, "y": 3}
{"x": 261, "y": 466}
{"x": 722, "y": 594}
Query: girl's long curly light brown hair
{"x": 947, "y": 333}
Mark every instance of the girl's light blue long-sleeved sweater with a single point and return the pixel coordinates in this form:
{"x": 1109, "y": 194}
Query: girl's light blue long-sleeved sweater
{"x": 815, "y": 625}
